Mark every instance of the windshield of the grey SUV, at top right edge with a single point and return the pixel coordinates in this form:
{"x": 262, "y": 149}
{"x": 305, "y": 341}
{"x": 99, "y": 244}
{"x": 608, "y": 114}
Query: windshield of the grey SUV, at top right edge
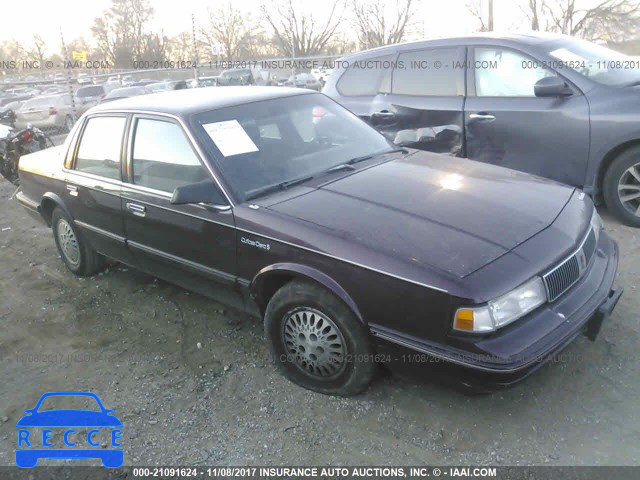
{"x": 598, "y": 63}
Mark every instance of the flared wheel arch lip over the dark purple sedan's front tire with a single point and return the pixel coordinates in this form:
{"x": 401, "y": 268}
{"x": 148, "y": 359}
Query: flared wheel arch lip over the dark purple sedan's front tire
{"x": 304, "y": 272}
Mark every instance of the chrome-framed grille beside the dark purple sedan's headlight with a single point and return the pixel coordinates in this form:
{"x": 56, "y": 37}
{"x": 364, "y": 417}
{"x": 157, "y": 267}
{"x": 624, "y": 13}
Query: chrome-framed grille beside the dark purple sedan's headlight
{"x": 565, "y": 275}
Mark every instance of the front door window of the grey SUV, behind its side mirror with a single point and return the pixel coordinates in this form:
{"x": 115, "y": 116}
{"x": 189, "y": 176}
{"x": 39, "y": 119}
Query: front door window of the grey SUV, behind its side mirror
{"x": 504, "y": 73}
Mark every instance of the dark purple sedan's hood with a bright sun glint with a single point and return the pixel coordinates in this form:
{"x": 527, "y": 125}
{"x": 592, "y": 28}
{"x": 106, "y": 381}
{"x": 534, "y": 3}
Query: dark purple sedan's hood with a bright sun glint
{"x": 429, "y": 210}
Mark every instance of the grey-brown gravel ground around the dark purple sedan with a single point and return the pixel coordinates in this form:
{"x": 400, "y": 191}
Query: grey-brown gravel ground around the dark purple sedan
{"x": 192, "y": 382}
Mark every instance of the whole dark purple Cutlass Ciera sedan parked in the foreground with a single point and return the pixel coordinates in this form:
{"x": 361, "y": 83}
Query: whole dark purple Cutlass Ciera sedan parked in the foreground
{"x": 283, "y": 203}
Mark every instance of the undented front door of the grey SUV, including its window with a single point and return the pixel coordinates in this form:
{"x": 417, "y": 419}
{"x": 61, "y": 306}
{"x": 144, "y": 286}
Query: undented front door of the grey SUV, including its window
{"x": 507, "y": 125}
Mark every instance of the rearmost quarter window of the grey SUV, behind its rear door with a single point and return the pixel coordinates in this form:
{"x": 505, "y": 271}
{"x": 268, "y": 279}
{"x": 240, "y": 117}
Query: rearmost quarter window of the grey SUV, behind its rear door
{"x": 363, "y": 77}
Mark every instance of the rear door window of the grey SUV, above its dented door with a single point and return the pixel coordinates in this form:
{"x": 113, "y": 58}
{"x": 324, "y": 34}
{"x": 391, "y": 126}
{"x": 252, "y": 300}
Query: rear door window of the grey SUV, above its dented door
{"x": 428, "y": 72}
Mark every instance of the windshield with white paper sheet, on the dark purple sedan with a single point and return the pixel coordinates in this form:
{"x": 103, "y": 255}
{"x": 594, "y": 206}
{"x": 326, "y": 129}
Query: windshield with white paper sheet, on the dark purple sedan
{"x": 268, "y": 143}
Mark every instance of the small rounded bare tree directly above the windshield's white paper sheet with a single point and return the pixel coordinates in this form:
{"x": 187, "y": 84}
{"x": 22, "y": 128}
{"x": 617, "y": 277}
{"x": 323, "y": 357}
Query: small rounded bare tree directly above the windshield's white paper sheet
{"x": 230, "y": 28}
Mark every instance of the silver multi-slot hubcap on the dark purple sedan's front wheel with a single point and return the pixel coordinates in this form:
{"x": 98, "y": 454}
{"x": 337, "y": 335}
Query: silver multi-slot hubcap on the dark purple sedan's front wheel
{"x": 314, "y": 343}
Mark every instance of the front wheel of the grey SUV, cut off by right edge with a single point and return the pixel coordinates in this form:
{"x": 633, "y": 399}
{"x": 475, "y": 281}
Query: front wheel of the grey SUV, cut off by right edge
{"x": 624, "y": 170}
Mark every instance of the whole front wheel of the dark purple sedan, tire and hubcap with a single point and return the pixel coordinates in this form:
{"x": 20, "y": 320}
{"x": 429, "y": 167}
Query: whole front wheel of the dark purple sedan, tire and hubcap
{"x": 316, "y": 340}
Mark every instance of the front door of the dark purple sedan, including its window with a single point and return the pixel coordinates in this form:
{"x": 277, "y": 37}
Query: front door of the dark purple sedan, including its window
{"x": 191, "y": 245}
